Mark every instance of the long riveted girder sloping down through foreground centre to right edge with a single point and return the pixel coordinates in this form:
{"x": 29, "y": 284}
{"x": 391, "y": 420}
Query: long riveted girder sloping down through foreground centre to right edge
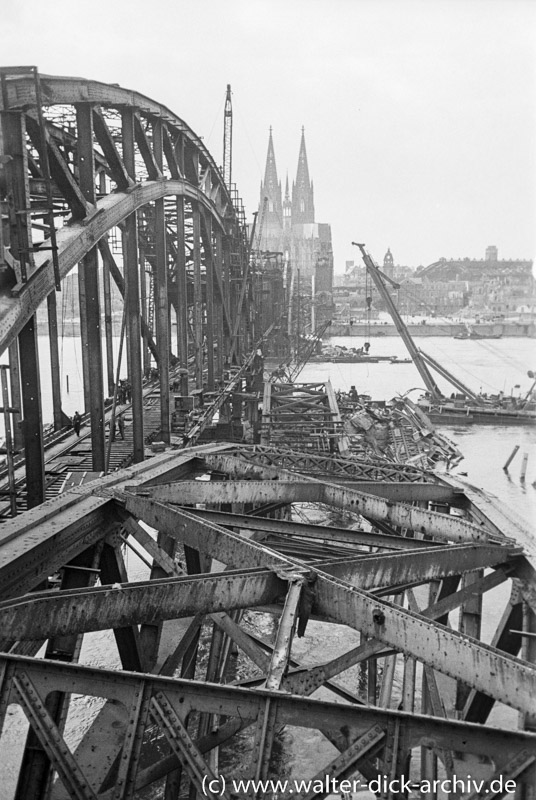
{"x": 507, "y": 679}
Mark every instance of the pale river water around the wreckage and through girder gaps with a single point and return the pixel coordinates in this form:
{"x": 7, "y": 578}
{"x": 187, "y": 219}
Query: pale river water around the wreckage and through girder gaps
{"x": 487, "y": 365}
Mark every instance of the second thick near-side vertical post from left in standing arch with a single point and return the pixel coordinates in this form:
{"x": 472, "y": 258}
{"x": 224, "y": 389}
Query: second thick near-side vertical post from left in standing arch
{"x": 89, "y": 267}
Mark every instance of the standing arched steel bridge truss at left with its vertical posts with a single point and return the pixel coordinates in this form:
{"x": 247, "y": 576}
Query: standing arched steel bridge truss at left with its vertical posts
{"x": 106, "y": 159}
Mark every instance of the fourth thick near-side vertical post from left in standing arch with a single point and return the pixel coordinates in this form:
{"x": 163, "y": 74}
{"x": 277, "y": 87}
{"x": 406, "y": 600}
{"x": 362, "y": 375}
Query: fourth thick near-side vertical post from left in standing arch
{"x": 162, "y": 310}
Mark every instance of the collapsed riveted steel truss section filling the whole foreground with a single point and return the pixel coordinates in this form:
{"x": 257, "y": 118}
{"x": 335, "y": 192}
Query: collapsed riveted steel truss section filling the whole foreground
{"x": 213, "y": 524}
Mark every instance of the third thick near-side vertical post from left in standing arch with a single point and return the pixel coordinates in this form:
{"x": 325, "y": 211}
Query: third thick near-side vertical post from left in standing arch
{"x": 132, "y": 288}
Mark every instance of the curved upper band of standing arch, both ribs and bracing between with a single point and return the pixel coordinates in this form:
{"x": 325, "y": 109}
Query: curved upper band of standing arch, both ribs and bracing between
{"x": 189, "y": 171}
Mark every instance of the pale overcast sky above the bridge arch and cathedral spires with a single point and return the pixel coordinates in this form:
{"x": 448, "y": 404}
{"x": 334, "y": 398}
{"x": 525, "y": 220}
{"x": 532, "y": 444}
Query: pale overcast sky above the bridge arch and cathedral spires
{"x": 419, "y": 115}
